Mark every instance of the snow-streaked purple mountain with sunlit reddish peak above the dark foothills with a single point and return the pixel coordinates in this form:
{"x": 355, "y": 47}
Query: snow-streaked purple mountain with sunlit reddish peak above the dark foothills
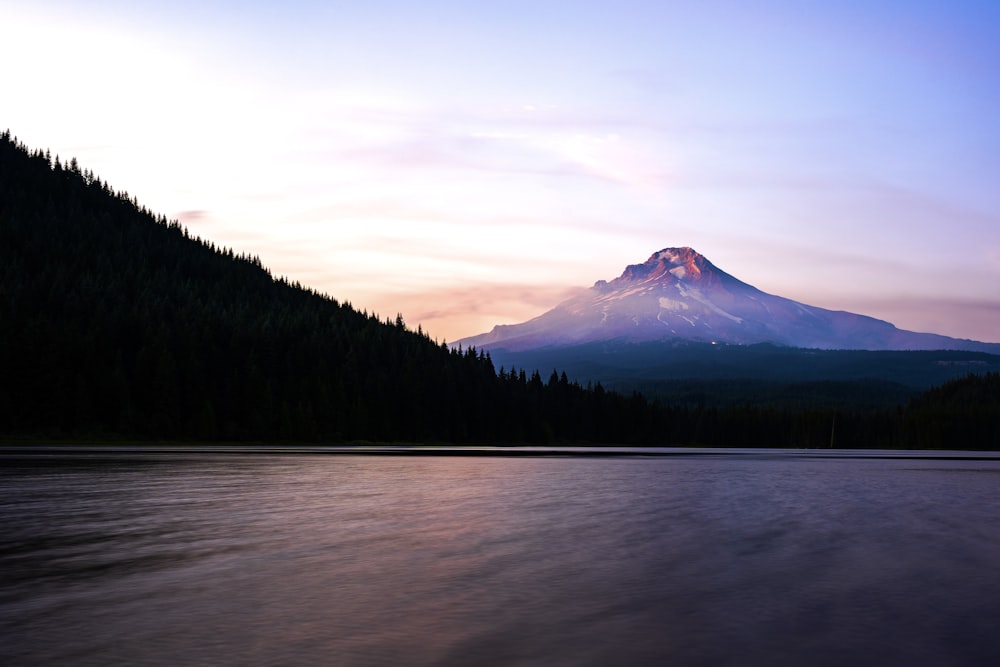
{"x": 677, "y": 294}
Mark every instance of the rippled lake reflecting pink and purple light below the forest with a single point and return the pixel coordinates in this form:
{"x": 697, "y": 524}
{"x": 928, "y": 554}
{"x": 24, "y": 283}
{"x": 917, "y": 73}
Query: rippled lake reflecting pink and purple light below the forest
{"x": 688, "y": 557}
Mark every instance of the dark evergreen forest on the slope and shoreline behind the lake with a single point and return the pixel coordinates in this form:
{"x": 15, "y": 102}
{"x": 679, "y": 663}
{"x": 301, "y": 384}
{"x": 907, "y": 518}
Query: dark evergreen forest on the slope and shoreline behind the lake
{"x": 116, "y": 323}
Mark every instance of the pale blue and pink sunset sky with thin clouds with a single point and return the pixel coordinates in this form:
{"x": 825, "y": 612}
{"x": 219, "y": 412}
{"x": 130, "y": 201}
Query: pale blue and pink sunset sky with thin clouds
{"x": 468, "y": 164}
